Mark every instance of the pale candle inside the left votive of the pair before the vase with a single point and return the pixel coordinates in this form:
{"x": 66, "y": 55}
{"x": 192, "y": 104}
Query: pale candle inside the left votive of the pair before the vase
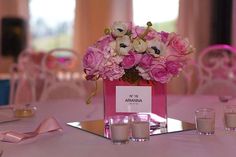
{"x": 119, "y": 133}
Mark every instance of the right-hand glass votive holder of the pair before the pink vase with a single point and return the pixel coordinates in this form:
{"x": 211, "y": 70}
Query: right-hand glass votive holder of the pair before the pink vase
{"x": 140, "y": 126}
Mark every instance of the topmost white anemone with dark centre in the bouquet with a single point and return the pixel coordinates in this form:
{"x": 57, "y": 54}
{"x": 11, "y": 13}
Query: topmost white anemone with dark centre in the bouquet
{"x": 119, "y": 29}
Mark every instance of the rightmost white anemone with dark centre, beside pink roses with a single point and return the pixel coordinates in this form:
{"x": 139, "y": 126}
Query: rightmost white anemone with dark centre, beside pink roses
{"x": 156, "y": 47}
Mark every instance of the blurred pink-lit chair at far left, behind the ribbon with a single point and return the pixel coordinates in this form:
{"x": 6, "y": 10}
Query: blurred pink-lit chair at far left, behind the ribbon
{"x": 25, "y": 81}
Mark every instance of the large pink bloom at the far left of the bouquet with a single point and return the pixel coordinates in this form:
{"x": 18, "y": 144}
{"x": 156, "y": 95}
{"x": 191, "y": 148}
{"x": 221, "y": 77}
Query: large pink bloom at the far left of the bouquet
{"x": 92, "y": 60}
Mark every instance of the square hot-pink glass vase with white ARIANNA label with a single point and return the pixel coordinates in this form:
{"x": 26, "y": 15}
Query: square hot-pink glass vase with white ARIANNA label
{"x": 124, "y": 98}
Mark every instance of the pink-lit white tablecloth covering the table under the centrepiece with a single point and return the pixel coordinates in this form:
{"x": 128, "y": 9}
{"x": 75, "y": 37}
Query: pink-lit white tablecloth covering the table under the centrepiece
{"x": 76, "y": 143}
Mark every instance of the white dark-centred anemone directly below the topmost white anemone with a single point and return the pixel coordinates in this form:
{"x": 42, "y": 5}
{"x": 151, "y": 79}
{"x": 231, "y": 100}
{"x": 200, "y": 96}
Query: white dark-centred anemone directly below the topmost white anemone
{"x": 123, "y": 45}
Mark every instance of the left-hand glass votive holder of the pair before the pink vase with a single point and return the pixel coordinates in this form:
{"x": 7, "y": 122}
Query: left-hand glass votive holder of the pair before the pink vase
{"x": 119, "y": 129}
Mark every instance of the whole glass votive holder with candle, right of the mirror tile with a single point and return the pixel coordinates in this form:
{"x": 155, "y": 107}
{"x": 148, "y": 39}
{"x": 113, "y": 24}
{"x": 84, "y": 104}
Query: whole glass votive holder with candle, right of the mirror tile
{"x": 205, "y": 121}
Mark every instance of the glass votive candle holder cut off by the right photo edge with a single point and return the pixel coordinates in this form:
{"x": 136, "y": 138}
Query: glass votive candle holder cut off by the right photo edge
{"x": 230, "y": 117}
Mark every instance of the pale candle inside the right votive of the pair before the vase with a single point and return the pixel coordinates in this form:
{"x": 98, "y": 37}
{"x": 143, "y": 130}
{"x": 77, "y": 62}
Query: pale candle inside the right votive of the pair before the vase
{"x": 140, "y": 131}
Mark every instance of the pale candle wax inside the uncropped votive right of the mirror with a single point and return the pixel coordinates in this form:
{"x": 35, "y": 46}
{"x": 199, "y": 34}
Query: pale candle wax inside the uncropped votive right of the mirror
{"x": 206, "y": 125}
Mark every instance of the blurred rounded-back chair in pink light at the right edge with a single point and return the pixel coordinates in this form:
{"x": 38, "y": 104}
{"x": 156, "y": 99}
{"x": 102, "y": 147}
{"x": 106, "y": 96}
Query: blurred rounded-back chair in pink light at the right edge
{"x": 217, "y": 70}
